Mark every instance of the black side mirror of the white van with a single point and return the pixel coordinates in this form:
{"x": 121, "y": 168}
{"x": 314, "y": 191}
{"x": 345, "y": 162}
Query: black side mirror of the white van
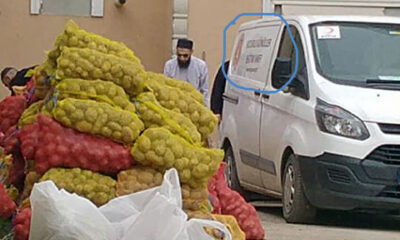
{"x": 282, "y": 71}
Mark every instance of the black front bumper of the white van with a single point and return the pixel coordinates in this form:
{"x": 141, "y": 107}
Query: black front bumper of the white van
{"x": 337, "y": 182}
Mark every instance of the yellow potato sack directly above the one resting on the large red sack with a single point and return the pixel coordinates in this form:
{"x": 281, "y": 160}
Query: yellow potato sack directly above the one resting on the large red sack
{"x": 98, "y": 90}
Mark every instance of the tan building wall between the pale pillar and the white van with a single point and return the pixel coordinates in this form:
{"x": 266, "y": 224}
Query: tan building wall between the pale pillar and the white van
{"x": 206, "y": 22}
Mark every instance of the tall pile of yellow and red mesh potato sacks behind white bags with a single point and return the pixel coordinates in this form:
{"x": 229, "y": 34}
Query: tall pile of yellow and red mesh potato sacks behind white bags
{"x": 100, "y": 126}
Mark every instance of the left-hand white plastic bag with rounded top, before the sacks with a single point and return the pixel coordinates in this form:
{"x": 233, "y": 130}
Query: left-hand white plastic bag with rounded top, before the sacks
{"x": 58, "y": 215}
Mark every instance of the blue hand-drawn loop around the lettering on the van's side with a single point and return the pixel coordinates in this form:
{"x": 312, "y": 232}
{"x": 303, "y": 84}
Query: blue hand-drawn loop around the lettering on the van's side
{"x": 233, "y": 22}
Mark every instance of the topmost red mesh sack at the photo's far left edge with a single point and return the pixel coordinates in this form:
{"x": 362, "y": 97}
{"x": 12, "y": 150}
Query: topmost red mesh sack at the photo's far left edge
{"x": 11, "y": 109}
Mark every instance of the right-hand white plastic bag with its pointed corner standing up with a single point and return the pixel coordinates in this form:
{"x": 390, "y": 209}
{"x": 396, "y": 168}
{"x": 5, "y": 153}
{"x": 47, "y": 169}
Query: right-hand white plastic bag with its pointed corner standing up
{"x": 153, "y": 214}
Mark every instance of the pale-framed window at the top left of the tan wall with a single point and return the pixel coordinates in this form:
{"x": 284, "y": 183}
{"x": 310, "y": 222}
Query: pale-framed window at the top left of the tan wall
{"x": 93, "y": 8}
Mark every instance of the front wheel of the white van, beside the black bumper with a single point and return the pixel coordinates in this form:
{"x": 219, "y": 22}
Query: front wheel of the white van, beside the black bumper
{"x": 295, "y": 206}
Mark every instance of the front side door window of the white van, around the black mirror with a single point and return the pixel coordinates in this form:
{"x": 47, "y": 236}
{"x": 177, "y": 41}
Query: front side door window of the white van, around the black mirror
{"x": 287, "y": 50}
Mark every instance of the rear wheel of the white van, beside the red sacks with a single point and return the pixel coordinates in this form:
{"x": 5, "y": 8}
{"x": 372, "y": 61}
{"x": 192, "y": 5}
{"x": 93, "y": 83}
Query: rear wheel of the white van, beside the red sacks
{"x": 230, "y": 173}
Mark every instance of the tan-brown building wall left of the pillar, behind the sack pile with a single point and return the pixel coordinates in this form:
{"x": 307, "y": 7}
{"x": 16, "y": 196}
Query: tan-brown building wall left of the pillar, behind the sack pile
{"x": 145, "y": 26}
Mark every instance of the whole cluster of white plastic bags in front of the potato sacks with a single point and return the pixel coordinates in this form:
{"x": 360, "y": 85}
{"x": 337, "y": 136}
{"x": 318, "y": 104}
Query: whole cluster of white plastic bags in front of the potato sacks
{"x": 153, "y": 214}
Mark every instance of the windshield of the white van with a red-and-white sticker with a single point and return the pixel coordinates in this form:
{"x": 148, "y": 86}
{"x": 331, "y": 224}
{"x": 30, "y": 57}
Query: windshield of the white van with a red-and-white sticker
{"x": 358, "y": 53}
